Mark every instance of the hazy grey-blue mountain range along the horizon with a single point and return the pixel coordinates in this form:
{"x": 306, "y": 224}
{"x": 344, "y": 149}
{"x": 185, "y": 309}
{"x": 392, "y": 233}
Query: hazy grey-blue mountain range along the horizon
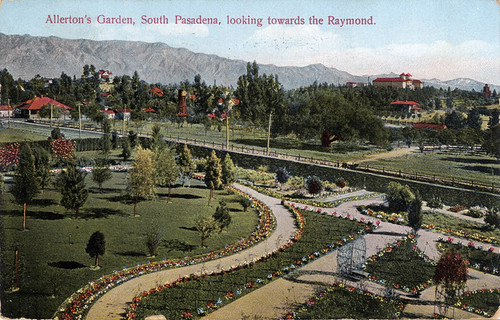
{"x": 25, "y": 56}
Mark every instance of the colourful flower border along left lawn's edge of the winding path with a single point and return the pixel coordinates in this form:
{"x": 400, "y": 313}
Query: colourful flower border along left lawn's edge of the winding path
{"x": 76, "y": 306}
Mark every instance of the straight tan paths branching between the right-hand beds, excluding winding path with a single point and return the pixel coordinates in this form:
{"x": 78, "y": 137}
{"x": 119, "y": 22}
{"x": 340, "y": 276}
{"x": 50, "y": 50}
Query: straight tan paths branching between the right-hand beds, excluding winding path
{"x": 281, "y": 296}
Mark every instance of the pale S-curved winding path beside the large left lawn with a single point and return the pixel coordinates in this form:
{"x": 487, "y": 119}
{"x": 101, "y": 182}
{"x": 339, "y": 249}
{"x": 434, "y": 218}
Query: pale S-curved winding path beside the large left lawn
{"x": 113, "y": 304}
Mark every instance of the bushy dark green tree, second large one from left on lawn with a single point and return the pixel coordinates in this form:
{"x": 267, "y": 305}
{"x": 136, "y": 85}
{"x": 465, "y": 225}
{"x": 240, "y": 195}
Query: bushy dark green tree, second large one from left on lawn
{"x": 72, "y": 187}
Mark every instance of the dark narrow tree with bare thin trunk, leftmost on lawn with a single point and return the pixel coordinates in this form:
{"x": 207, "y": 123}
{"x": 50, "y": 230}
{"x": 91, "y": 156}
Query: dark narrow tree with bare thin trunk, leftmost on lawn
{"x": 26, "y": 184}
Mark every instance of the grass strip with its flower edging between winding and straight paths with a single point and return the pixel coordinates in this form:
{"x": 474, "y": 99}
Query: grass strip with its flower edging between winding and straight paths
{"x": 239, "y": 280}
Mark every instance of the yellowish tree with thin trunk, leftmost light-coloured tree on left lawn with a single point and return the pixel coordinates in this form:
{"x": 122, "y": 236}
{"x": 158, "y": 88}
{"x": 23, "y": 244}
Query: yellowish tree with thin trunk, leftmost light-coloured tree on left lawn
{"x": 142, "y": 176}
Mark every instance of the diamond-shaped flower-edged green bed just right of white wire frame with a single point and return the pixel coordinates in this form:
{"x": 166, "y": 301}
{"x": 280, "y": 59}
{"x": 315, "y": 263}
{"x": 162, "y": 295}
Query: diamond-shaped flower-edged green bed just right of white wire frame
{"x": 390, "y": 266}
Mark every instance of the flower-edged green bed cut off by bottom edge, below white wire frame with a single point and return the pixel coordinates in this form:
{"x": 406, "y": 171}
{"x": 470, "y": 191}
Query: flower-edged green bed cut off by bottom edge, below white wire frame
{"x": 343, "y": 301}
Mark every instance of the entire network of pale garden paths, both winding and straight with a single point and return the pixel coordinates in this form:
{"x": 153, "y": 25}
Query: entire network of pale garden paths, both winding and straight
{"x": 278, "y": 297}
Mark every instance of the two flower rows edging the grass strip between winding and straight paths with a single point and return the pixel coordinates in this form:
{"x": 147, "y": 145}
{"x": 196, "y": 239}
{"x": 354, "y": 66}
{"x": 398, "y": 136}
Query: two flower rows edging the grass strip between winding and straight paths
{"x": 213, "y": 305}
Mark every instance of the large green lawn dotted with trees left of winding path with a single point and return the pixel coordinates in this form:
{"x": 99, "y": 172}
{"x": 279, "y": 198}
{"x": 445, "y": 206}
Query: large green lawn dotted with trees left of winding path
{"x": 53, "y": 262}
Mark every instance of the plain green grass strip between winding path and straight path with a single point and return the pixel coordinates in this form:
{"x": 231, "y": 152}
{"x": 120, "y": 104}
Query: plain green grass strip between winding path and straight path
{"x": 319, "y": 231}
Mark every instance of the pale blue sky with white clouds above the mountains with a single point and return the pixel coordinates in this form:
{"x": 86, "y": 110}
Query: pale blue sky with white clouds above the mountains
{"x": 430, "y": 39}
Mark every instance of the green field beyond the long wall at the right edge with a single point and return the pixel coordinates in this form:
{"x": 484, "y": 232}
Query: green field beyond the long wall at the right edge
{"x": 459, "y": 165}
